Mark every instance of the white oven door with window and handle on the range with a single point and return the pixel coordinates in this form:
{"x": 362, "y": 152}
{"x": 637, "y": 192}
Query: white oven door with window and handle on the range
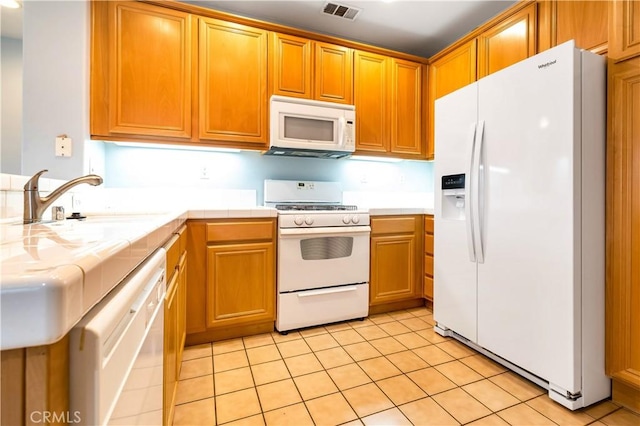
{"x": 311, "y": 258}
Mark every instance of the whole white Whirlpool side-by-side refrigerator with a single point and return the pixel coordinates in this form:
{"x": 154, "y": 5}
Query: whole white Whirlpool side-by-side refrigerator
{"x": 519, "y": 220}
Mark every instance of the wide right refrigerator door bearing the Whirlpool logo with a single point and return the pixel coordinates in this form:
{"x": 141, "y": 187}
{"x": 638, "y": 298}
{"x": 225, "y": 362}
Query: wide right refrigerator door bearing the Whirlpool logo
{"x": 528, "y": 286}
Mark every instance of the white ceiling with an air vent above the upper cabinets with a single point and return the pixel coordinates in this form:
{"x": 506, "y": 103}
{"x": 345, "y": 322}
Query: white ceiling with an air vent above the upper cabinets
{"x": 419, "y": 27}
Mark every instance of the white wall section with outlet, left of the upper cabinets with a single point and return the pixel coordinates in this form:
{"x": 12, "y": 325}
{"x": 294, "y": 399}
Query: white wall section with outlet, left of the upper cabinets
{"x": 56, "y": 37}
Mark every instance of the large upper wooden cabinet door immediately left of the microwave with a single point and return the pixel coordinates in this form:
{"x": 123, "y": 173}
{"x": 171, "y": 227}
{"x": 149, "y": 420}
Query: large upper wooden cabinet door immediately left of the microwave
{"x": 233, "y": 82}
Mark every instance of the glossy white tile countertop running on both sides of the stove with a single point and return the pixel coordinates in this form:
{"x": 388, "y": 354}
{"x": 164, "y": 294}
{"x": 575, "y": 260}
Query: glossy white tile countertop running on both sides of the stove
{"x": 53, "y": 273}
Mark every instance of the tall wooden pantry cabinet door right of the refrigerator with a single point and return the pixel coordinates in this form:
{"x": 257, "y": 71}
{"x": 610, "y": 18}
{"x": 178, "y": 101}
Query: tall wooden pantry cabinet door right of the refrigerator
{"x": 623, "y": 232}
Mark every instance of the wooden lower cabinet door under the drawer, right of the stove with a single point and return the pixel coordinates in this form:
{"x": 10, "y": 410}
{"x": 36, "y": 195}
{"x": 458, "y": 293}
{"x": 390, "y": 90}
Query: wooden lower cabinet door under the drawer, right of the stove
{"x": 392, "y": 268}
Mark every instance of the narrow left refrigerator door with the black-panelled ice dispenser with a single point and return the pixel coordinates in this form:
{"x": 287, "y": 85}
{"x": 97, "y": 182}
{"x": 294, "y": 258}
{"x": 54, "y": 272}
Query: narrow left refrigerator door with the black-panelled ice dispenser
{"x": 455, "y": 273}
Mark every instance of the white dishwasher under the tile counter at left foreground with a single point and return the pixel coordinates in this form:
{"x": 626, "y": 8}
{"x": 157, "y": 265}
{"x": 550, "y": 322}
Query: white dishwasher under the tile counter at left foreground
{"x": 116, "y": 352}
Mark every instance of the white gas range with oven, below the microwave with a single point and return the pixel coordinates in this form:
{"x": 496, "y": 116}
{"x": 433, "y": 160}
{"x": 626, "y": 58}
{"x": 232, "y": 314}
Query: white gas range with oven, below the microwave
{"x": 323, "y": 254}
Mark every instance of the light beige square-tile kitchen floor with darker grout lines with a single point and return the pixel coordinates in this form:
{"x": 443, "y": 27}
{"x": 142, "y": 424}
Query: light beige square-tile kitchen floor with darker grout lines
{"x": 390, "y": 369}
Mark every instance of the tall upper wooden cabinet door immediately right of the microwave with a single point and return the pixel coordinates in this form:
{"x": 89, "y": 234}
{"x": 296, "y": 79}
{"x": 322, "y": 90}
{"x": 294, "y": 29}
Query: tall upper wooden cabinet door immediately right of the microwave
{"x": 371, "y": 93}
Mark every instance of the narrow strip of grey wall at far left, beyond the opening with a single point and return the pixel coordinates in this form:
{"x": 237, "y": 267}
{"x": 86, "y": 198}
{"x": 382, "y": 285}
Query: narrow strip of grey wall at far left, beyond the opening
{"x": 11, "y": 119}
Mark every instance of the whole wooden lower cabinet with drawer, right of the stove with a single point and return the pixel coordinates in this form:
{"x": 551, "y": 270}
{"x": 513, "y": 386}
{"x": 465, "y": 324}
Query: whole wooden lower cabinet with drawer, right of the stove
{"x": 396, "y": 262}
